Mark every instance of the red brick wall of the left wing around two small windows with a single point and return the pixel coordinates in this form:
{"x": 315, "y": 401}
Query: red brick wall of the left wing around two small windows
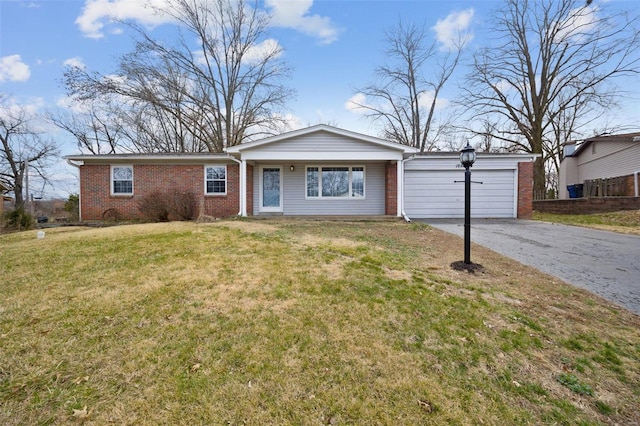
{"x": 96, "y": 198}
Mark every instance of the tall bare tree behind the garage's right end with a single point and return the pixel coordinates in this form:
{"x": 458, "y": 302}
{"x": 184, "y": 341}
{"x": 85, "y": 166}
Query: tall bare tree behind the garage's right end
{"x": 553, "y": 62}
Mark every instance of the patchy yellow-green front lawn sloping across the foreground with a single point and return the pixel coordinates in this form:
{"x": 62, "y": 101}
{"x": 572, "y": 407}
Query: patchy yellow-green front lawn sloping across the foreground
{"x": 299, "y": 322}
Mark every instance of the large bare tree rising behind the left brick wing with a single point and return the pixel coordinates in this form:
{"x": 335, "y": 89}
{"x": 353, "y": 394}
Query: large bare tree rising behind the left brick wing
{"x": 221, "y": 92}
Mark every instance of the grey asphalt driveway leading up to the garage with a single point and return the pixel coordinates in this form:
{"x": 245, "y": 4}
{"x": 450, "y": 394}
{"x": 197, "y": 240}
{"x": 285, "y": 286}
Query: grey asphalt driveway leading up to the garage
{"x": 605, "y": 263}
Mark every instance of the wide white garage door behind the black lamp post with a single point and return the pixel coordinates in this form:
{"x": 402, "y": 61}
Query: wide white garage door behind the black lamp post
{"x": 433, "y": 193}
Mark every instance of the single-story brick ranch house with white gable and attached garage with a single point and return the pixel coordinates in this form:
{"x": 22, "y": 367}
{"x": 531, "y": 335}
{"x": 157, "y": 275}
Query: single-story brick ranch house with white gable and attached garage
{"x": 319, "y": 171}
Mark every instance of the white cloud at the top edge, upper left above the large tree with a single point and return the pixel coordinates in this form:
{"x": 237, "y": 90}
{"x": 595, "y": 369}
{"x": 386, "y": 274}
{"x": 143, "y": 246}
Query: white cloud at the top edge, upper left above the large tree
{"x": 98, "y": 13}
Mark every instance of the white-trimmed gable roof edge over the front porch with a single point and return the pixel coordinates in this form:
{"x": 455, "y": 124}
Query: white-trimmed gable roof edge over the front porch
{"x": 322, "y": 128}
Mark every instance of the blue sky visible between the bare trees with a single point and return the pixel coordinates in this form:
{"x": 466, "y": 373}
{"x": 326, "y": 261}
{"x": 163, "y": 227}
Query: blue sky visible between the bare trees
{"x": 332, "y": 47}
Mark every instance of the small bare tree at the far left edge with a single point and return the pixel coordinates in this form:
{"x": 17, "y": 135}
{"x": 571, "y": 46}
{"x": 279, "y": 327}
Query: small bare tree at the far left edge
{"x": 22, "y": 148}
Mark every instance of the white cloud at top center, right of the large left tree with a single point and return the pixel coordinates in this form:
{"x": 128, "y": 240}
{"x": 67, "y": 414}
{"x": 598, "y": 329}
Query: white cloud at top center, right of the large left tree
{"x": 295, "y": 15}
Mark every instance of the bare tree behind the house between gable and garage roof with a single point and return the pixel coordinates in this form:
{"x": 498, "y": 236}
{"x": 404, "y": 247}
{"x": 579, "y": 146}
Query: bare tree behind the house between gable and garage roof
{"x": 405, "y": 97}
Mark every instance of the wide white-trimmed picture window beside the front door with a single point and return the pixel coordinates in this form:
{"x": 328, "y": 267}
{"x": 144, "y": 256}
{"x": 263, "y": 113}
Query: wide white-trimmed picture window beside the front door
{"x": 335, "y": 182}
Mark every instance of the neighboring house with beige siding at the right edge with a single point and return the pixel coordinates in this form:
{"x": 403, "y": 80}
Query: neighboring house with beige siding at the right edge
{"x": 602, "y": 157}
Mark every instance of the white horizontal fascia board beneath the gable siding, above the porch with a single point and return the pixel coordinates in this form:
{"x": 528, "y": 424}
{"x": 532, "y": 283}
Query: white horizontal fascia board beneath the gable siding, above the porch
{"x": 322, "y": 156}
